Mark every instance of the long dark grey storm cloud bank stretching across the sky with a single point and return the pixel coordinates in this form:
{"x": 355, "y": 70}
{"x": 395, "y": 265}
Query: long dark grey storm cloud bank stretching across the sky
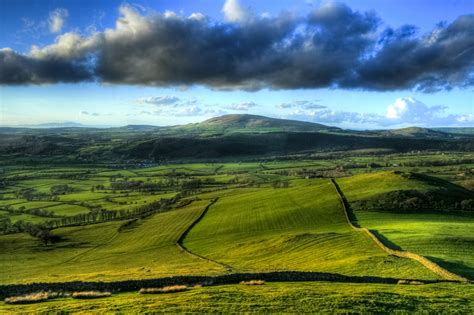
{"x": 333, "y": 46}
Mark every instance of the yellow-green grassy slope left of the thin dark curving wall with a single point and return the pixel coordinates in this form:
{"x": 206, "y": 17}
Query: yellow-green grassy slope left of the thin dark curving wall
{"x": 100, "y": 252}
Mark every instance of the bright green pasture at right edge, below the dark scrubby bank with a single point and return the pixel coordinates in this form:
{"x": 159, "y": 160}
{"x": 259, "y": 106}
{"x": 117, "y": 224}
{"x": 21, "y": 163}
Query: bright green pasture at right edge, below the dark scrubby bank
{"x": 446, "y": 238}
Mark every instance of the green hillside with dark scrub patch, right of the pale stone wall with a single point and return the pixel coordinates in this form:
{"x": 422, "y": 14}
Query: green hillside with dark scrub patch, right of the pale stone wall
{"x": 442, "y": 234}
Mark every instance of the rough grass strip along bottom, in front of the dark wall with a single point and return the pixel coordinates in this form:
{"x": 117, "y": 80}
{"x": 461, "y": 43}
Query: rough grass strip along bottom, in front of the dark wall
{"x": 302, "y": 297}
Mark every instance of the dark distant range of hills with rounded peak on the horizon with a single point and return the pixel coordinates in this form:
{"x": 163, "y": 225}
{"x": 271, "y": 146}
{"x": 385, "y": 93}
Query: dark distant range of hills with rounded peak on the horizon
{"x": 229, "y": 136}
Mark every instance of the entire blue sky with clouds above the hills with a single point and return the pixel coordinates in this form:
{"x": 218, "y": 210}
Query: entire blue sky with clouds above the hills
{"x": 357, "y": 64}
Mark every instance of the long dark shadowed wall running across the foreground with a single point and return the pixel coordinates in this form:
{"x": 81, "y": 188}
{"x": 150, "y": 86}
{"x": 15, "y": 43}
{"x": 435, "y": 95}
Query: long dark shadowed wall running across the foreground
{"x": 135, "y": 285}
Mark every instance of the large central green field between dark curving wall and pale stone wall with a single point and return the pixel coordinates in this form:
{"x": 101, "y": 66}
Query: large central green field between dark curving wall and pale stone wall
{"x": 298, "y": 228}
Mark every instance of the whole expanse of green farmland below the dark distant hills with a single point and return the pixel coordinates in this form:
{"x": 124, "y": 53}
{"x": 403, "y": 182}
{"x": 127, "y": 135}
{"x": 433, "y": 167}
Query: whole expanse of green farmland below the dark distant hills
{"x": 122, "y": 221}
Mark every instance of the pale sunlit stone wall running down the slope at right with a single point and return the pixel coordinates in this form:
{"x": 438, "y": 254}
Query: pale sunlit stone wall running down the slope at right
{"x": 444, "y": 273}
